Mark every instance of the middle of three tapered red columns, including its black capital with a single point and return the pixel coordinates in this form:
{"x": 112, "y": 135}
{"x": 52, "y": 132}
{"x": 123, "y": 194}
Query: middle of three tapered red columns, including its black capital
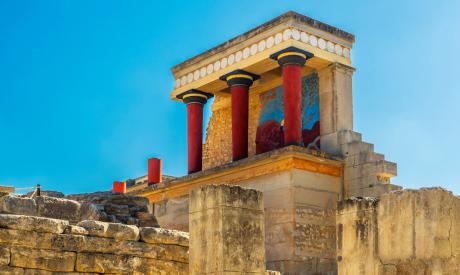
{"x": 239, "y": 82}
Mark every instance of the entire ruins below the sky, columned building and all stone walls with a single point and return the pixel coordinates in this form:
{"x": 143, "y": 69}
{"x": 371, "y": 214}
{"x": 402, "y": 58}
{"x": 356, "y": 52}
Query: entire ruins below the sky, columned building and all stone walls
{"x": 280, "y": 183}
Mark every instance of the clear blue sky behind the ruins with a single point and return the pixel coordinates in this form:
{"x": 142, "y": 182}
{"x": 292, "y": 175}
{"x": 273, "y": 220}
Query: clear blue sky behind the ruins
{"x": 84, "y": 84}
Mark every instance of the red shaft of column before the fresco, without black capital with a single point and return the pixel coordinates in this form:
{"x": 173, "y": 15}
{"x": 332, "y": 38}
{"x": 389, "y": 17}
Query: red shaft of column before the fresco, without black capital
{"x": 292, "y": 100}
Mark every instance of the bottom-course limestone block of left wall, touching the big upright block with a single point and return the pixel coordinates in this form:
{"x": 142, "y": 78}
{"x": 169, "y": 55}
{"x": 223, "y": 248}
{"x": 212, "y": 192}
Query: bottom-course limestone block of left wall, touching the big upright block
{"x": 107, "y": 263}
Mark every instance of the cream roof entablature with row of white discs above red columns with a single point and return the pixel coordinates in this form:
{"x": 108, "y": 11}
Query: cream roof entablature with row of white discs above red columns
{"x": 251, "y": 52}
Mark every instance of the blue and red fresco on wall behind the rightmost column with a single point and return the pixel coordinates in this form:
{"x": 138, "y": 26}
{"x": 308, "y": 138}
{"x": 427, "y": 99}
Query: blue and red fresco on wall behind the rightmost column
{"x": 269, "y": 134}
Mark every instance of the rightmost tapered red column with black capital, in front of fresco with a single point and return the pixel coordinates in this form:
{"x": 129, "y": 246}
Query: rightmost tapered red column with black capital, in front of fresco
{"x": 292, "y": 60}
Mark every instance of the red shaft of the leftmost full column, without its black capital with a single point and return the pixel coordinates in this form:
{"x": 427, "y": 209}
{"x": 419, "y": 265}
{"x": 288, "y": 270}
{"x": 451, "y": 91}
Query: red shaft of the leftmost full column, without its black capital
{"x": 194, "y": 136}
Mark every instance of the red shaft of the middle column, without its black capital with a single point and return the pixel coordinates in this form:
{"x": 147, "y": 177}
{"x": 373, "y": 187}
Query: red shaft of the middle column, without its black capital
{"x": 240, "y": 117}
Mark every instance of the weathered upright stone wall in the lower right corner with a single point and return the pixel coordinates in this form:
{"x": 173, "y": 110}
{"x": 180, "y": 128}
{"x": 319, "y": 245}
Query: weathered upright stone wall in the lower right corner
{"x": 403, "y": 232}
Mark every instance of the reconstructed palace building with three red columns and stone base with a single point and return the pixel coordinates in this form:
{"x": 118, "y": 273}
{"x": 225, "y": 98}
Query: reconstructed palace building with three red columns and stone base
{"x": 281, "y": 123}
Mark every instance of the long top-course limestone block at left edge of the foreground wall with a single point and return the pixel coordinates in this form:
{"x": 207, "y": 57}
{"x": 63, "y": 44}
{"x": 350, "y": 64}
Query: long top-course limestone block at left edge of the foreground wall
{"x": 29, "y": 223}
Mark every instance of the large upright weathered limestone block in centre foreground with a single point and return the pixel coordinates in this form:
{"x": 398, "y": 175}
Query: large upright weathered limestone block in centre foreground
{"x": 226, "y": 230}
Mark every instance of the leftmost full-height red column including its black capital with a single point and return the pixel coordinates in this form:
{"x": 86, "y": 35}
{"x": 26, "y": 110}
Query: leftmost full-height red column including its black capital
{"x": 195, "y": 100}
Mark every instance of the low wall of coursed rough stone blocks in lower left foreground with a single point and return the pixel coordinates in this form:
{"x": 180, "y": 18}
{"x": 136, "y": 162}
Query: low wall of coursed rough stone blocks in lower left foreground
{"x": 35, "y": 245}
